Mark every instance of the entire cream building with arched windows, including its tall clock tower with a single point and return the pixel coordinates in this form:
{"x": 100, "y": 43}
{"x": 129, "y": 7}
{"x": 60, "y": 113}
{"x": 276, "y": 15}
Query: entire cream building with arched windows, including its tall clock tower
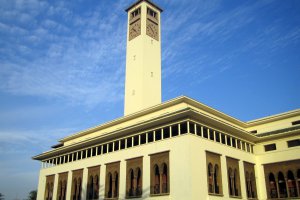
{"x": 179, "y": 149}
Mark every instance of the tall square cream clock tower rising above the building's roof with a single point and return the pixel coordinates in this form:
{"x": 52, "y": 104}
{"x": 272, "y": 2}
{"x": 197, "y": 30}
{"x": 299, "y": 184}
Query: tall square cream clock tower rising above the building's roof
{"x": 143, "y": 58}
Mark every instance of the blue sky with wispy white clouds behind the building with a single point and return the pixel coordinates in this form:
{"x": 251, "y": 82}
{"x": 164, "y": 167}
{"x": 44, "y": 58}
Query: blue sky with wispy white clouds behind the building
{"x": 62, "y": 67}
